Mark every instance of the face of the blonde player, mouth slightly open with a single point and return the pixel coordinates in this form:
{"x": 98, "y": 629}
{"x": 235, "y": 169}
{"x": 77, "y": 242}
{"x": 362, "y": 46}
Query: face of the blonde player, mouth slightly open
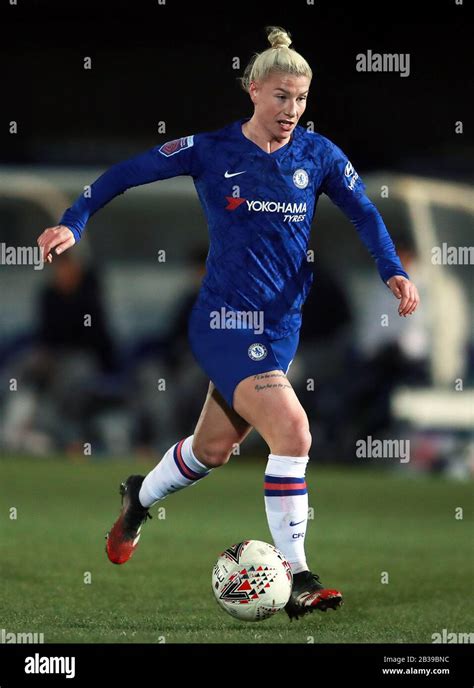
{"x": 279, "y": 102}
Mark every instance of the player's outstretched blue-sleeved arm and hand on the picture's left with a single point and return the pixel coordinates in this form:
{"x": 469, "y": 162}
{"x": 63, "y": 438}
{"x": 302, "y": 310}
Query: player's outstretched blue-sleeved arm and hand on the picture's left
{"x": 172, "y": 159}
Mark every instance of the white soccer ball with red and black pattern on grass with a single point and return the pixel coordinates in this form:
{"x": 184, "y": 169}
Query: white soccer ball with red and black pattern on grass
{"x": 252, "y": 580}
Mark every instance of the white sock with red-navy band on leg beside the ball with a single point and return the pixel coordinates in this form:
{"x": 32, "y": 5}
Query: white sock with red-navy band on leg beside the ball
{"x": 286, "y": 504}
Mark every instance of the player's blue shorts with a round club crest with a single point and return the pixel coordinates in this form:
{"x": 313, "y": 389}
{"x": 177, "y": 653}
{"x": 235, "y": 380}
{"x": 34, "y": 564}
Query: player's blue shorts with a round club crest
{"x": 228, "y": 356}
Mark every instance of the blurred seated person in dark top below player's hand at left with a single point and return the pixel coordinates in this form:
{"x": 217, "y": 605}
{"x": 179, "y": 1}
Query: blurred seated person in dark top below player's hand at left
{"x": 62, "y": 379}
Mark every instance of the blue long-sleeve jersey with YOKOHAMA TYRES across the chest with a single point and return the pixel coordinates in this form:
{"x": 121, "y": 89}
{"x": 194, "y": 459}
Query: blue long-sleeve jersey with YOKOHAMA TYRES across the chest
{"x": 259, "y": 207}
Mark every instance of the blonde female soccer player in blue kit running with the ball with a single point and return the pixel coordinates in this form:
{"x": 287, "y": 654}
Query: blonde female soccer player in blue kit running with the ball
{"x": 258, "y": 180}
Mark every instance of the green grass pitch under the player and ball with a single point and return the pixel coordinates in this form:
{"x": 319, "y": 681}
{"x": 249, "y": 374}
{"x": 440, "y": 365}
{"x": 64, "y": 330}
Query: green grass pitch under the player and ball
{"x": 365, "y": 523}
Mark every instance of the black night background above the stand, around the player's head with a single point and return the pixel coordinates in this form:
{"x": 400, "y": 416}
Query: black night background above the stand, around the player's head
{"x": 173, "y": 62}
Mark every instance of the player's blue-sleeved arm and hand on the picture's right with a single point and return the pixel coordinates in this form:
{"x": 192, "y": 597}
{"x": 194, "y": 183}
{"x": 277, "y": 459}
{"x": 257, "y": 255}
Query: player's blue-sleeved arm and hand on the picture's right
{"x": 346, "y": 190}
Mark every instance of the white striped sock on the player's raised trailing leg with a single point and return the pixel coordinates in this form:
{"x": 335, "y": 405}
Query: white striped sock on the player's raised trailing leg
{"x": 177, "y": 469}
